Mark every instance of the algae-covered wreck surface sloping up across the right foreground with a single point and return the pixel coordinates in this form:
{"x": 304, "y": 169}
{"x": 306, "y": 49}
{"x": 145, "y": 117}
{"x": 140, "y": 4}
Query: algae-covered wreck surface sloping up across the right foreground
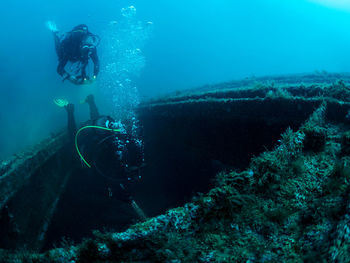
{"x": 291, "y": 204}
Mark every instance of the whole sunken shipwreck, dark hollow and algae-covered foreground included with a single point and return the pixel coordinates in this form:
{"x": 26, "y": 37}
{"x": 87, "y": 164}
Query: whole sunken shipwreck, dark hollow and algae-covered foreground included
{"x": 258, "y": 170}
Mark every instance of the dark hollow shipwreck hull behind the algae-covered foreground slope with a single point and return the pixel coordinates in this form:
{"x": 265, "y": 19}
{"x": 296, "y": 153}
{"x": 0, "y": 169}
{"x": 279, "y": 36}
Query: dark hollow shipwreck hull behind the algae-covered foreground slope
{"x": 189, "y": 137}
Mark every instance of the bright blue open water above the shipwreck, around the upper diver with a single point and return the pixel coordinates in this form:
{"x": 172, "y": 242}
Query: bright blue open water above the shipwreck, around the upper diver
{"x": 191, "y": 43}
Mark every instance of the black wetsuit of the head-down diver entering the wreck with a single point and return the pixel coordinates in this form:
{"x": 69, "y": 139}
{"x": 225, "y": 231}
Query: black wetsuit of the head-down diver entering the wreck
{"x": 100, "y": 149}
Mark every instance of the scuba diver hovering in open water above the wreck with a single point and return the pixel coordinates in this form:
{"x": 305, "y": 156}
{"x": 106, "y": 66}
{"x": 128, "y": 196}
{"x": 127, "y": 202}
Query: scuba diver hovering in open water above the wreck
{"x": 77, "y": 46}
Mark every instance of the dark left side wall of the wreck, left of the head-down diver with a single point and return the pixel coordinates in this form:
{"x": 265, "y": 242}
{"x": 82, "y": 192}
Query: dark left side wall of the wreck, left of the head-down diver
{"x": 30, "y": 186}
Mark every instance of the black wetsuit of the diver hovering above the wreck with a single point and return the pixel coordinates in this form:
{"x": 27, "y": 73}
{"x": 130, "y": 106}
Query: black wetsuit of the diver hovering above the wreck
{"x": 71, "y": 47}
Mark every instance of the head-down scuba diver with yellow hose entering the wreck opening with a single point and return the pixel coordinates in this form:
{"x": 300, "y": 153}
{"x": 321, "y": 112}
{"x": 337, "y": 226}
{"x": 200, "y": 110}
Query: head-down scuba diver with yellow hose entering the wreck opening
{"x": 107, "y": 149}
